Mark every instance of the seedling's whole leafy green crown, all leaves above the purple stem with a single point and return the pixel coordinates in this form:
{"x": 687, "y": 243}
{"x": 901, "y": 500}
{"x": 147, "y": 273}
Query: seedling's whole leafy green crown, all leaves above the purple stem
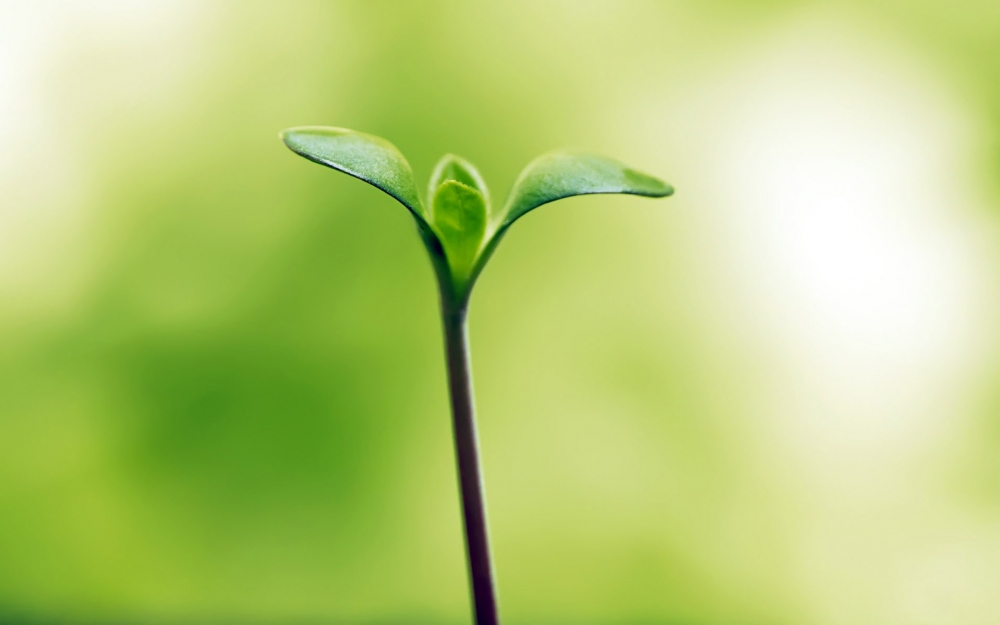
{"x": 458, "y": 225}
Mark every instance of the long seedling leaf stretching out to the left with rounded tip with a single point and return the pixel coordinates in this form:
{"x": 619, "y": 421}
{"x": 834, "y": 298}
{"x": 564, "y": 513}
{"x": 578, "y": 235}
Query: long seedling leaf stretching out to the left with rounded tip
{"x": 370, "y": 158}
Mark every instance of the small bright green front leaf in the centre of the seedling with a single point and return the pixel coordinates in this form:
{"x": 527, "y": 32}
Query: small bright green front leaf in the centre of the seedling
{"x": 460, "y": 220}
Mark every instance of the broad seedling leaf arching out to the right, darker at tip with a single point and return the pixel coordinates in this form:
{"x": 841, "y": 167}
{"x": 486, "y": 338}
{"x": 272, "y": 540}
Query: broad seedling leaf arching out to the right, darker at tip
{"x": 559, "y": 175}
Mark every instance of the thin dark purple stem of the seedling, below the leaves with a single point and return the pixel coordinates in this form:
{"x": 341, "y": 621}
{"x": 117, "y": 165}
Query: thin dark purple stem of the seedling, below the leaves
{"x": 469, "y": 473}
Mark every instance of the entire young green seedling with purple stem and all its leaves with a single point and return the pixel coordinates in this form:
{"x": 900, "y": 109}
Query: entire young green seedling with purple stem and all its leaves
{"x": 461, "y": 229}
